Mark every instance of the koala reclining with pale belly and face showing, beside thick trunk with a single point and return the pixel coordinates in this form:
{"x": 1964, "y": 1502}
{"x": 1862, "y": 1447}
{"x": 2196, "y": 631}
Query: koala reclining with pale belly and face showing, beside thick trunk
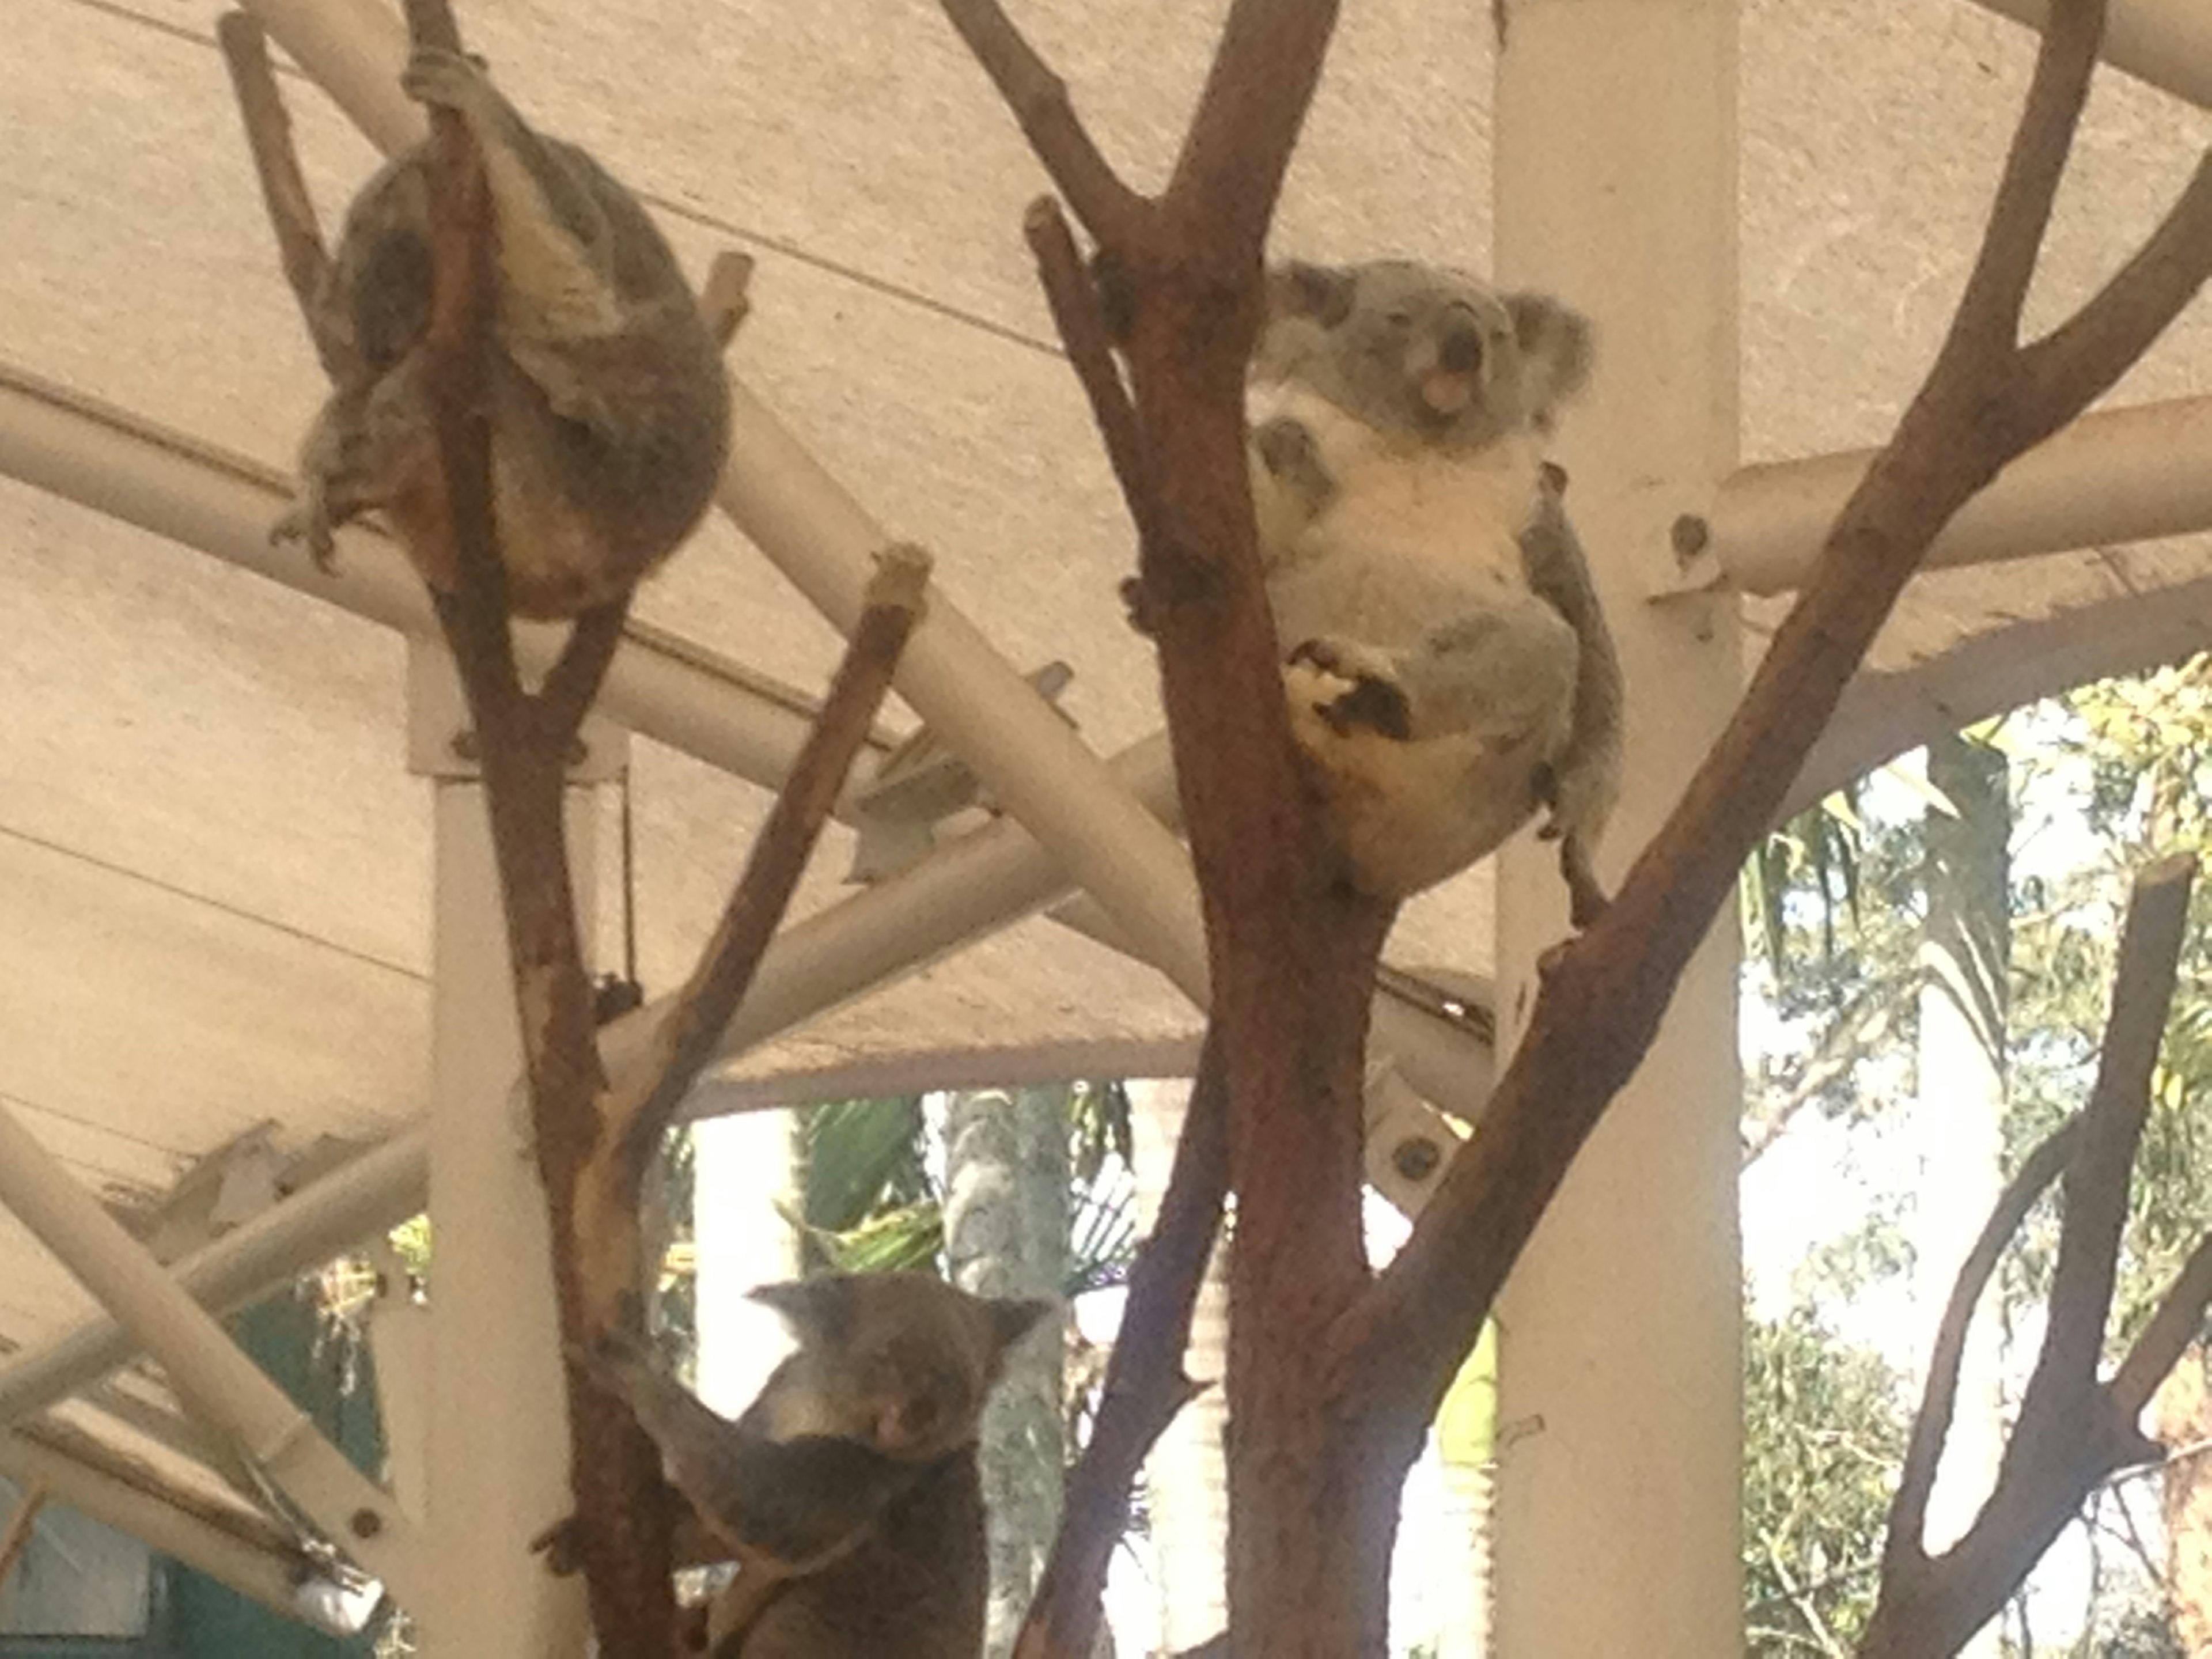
{"x": 1448, "y": 665}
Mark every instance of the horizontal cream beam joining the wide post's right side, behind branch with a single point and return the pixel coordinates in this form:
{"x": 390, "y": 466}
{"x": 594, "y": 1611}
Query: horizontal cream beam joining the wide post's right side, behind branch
{"x": 2116, "y": 477}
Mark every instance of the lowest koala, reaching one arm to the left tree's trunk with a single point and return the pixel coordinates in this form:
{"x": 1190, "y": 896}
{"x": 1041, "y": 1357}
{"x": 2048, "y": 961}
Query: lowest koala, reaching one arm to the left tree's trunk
{"x": 848, "y": 1490}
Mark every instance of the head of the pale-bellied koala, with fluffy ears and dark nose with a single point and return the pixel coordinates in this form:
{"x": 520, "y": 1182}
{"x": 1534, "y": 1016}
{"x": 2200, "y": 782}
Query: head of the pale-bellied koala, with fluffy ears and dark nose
{"x": 1423, "y": 351}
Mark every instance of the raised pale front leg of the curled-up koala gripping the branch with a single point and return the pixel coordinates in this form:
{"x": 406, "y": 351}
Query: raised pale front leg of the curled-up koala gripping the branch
{"x": 556, "y": 284}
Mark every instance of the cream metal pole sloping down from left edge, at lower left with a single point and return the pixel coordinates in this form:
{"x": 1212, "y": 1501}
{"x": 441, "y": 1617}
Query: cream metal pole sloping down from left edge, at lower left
{"x": 213, "y": 1379}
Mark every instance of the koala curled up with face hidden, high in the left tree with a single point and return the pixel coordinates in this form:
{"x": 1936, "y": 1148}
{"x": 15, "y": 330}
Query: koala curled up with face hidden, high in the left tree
{"x": 607, "y": 399}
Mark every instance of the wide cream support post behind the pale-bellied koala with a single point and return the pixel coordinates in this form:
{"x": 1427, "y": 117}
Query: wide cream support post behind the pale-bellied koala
{"x": 1620, "y": 1417}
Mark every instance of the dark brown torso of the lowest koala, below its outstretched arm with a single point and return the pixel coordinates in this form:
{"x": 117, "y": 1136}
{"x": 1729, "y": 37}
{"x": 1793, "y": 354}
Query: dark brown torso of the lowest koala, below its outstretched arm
{"x": 912, "y": 1592}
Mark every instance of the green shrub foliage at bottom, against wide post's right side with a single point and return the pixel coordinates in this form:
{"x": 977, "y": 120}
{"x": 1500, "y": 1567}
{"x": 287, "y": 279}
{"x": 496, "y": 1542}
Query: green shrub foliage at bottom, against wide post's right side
{"x": 1824, "y": 1439}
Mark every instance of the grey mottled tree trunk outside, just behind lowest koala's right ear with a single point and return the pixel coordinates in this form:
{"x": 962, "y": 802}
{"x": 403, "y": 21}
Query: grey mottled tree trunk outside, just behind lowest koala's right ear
{"x": 1008, "y": 1235}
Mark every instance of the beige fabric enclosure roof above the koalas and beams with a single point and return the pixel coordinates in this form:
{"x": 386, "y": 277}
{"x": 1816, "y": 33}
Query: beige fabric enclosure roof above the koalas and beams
{"x": 216, "y": 866}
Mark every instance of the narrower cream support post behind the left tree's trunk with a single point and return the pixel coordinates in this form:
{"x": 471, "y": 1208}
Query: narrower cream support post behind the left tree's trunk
{"x": 499, "y": 1432}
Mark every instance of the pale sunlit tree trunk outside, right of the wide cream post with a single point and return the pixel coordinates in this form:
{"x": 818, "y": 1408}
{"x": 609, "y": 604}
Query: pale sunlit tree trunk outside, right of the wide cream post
{"x": 1965, "y": 957}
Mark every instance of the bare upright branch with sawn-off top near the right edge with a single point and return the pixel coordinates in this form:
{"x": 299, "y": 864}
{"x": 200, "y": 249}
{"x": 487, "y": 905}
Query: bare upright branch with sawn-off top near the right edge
{"x": 2114, "y": 1127}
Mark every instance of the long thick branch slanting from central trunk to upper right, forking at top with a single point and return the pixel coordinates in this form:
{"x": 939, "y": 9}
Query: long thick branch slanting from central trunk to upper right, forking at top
{"x": 1603, "y": 999}
